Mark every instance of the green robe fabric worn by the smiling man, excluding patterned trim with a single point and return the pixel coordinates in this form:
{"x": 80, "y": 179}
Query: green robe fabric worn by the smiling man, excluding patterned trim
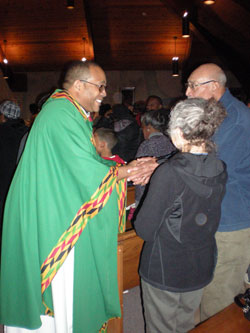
{"x": 59, "y": 172}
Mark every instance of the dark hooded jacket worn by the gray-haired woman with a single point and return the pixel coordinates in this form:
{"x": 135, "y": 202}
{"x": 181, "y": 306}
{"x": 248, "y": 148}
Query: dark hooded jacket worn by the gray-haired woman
{"x": 178, "y": 220}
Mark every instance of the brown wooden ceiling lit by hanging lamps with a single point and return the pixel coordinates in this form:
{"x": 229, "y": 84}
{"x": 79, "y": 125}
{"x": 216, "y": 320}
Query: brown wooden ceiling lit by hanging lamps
{"x": 125, "y": 34}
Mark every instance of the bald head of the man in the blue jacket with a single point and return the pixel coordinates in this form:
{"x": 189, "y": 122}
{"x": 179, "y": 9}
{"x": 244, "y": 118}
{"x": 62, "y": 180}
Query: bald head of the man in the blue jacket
{"x": 206, "y": 81}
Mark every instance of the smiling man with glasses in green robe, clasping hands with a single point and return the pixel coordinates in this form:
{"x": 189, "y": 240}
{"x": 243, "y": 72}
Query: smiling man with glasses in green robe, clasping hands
{"x": 63, "y": 212}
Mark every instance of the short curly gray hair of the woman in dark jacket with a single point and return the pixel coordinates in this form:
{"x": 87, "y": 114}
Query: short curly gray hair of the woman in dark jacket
{"x": 198, "y": 120}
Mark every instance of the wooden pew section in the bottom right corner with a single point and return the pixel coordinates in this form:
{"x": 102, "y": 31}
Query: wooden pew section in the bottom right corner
{"x": 229, "y": 320}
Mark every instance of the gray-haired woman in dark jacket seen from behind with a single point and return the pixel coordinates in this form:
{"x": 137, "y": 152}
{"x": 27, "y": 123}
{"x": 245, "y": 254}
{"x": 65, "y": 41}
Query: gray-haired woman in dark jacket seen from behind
{"x": 179, "y": 218}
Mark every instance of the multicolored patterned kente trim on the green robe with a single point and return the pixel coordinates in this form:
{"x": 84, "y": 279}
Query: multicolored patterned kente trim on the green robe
{"x": 87, "y": 211}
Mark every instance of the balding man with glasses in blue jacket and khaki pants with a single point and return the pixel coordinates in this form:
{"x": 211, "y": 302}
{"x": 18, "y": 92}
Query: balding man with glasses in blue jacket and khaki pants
{"x": 233, "y": 236}
